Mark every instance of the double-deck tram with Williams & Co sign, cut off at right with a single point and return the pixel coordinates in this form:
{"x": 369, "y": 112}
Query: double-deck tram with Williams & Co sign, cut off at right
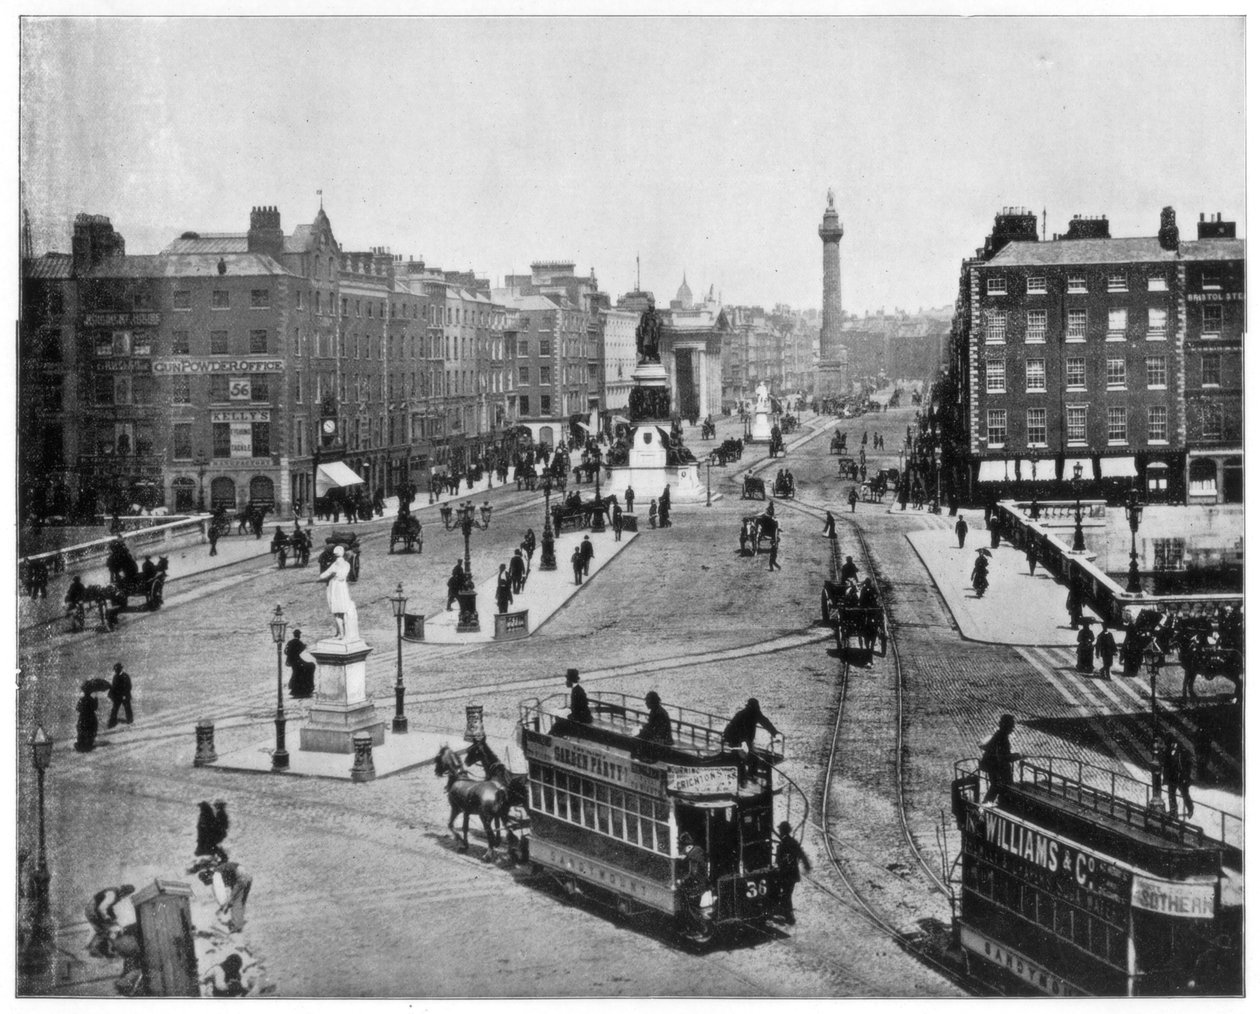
{"x": 1075, "y": 882}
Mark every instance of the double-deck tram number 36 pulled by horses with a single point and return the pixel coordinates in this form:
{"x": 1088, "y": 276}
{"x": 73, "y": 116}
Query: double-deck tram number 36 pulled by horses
{"x": 608, "y": 811}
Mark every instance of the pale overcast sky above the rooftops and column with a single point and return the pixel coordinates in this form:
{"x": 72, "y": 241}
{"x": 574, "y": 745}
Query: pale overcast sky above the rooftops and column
{"x": 704, "y": 145}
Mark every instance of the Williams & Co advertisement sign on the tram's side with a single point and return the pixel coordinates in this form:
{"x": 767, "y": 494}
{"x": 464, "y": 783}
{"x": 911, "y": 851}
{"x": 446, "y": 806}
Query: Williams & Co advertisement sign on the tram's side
{"x": 1055, "y": 863}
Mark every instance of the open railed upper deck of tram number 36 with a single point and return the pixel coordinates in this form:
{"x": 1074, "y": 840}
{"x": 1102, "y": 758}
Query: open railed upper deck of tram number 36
{"x": 617, "y": 722}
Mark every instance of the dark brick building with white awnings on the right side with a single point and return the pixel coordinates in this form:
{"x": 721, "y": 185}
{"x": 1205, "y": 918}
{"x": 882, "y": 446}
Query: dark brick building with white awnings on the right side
{"x": 1120, "y": 355}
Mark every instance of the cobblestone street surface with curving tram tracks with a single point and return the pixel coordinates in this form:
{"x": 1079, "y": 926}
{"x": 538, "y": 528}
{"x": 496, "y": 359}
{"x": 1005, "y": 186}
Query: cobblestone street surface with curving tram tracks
{"x": 360, "y": 890}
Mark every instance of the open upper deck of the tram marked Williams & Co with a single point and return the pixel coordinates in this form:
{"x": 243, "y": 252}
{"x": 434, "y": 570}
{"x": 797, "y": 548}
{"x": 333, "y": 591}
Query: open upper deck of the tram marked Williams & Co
{"x": 1120, "y": 816}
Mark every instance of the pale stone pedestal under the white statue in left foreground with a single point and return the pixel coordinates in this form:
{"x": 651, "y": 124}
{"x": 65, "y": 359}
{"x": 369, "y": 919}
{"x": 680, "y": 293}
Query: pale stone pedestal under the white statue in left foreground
{"x": 342, "y": 707}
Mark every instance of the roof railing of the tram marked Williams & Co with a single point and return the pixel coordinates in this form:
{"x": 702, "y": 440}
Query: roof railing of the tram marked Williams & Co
{"x": 1121, "y": 798}
